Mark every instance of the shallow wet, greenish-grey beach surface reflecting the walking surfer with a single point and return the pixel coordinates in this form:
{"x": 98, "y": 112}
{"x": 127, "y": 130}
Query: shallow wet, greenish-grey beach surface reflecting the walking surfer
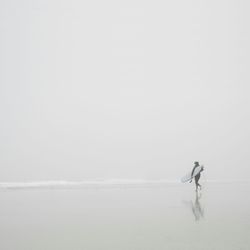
{"x": 147, "y": 218}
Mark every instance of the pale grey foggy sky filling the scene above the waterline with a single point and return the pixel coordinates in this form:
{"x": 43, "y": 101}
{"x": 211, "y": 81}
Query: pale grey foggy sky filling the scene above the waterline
{"x": 124, "y": 89}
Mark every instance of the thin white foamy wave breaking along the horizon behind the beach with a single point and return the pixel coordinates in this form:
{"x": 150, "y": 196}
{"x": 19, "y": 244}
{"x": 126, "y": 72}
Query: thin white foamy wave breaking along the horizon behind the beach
{"x": 85, "y": 184}
